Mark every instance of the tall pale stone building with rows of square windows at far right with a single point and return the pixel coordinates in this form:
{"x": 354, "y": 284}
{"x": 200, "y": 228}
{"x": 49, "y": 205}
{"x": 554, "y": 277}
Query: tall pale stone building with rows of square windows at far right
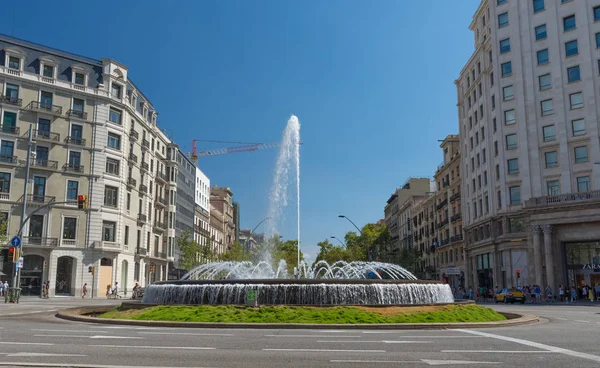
{"x": 528, "y": 119}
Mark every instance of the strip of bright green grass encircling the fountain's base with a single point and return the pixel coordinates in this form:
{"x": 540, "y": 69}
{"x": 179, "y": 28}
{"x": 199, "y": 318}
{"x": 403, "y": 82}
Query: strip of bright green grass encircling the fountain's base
{"x": 326, "y": 315}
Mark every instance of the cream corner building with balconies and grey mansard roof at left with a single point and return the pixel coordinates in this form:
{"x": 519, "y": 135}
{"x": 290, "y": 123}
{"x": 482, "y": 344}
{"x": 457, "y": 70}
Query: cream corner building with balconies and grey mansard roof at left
{"x": 94, "y": 134}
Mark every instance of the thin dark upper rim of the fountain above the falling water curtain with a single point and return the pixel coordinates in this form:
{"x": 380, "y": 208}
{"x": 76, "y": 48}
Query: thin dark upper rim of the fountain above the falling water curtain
{"x": 297, "y": 282}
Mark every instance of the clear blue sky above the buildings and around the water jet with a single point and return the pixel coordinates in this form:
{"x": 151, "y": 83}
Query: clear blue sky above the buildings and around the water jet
{"x": 371, "y": 82}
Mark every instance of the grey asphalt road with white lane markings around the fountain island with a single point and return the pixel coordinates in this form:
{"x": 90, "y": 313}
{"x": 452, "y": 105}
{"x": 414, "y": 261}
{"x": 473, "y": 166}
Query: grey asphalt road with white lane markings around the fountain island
{"x": 30, "y": 335}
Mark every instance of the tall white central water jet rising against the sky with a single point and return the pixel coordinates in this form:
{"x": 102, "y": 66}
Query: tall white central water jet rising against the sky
{"x": 287, "y": 162}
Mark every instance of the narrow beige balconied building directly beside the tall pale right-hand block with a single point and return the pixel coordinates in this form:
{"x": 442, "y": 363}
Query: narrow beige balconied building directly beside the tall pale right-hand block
{"x": 450, "y": 249}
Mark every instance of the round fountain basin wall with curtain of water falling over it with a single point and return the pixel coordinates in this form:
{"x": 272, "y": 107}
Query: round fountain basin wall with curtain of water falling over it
{"x": 298, "y": 292}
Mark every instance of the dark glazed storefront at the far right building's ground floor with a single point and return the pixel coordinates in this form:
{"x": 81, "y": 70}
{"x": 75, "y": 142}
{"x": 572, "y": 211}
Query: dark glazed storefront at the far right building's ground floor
{"x": 583, "y": 263}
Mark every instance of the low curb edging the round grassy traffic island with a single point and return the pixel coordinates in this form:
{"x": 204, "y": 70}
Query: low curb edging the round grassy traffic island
{"x": 81, "y": 314}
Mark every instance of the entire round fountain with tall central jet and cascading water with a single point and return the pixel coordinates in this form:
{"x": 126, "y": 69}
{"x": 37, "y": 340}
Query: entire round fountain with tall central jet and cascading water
{"x": 341, "y": 283}
